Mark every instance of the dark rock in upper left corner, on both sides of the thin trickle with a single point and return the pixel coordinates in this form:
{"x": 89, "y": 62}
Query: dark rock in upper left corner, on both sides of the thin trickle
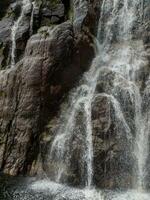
{"x": 6, "y": 24}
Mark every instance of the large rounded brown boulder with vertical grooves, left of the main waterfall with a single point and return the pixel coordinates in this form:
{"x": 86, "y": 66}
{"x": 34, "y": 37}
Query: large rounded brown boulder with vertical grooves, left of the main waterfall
{"x": 26, "y": 91}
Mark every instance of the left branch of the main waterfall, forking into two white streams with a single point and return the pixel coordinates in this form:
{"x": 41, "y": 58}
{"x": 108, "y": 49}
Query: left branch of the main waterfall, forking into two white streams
{"x": 80, "y": 99}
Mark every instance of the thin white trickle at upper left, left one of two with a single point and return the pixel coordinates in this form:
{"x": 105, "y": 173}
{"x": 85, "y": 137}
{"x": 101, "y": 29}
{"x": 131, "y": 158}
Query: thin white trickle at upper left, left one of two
{"x": 15, "y": 28}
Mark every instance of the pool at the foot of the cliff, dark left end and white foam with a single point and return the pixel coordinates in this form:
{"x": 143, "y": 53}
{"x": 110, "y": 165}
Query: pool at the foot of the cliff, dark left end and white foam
{"x": 32, "y": 189}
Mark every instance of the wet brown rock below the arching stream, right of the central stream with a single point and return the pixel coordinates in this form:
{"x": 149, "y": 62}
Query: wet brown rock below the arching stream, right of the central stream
{"x": 111, "y": 141}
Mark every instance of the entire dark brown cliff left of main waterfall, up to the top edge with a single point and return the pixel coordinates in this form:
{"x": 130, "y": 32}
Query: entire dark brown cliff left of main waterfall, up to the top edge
{"x": 48, "y": 65}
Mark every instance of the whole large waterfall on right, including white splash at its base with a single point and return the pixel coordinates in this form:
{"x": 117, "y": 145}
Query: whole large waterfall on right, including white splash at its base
{"x": 122, "y": 55}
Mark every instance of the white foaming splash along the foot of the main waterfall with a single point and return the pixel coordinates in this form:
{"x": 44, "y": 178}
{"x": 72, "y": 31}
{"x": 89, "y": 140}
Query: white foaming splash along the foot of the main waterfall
{"x": 59, "y": 192}
